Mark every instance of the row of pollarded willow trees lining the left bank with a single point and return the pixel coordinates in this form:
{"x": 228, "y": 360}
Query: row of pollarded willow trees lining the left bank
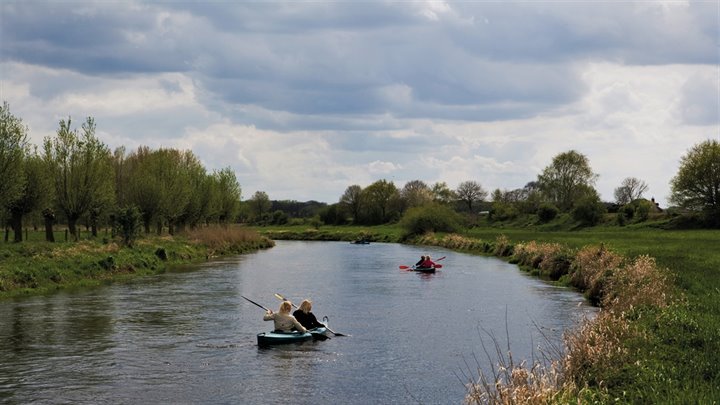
{"x": 74, "y": 177}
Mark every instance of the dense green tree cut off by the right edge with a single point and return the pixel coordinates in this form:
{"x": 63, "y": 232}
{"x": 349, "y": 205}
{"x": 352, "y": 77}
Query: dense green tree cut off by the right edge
{"x": 696, "y": 186}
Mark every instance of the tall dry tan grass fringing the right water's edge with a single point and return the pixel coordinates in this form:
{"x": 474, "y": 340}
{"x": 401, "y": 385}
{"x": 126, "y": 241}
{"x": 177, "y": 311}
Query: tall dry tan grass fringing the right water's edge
{"x": 596, "y": 345}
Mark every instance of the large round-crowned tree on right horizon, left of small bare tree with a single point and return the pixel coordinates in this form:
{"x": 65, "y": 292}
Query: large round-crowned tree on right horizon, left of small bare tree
{"x": 566, "y": 179}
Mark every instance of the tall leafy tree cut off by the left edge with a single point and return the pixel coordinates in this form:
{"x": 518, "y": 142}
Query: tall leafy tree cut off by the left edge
{"x": 13, "y": 148}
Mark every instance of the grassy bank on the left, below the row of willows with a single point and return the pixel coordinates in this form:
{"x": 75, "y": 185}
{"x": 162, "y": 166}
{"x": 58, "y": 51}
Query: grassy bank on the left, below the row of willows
{"x": 36, "y": 267}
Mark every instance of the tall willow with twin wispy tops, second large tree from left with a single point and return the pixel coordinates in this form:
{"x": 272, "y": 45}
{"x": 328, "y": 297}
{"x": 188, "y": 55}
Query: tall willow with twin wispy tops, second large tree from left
{"x": 81, "y": 170}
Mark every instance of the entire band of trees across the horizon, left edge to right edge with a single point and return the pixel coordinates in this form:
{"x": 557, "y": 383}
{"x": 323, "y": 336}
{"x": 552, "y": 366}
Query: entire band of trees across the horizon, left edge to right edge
{"x": 75, "y": 177}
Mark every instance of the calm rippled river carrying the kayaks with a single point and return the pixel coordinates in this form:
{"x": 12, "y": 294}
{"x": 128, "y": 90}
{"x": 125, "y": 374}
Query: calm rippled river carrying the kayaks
{"x": 188, "y": 337}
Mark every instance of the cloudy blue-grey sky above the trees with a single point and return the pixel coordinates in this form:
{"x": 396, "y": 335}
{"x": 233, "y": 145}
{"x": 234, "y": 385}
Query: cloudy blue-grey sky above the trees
{"x": 304, "y": 99}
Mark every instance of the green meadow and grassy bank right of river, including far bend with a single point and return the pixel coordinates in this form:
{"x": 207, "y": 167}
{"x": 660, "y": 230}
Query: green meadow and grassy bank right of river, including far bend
{"x": 654, "y": 346}
